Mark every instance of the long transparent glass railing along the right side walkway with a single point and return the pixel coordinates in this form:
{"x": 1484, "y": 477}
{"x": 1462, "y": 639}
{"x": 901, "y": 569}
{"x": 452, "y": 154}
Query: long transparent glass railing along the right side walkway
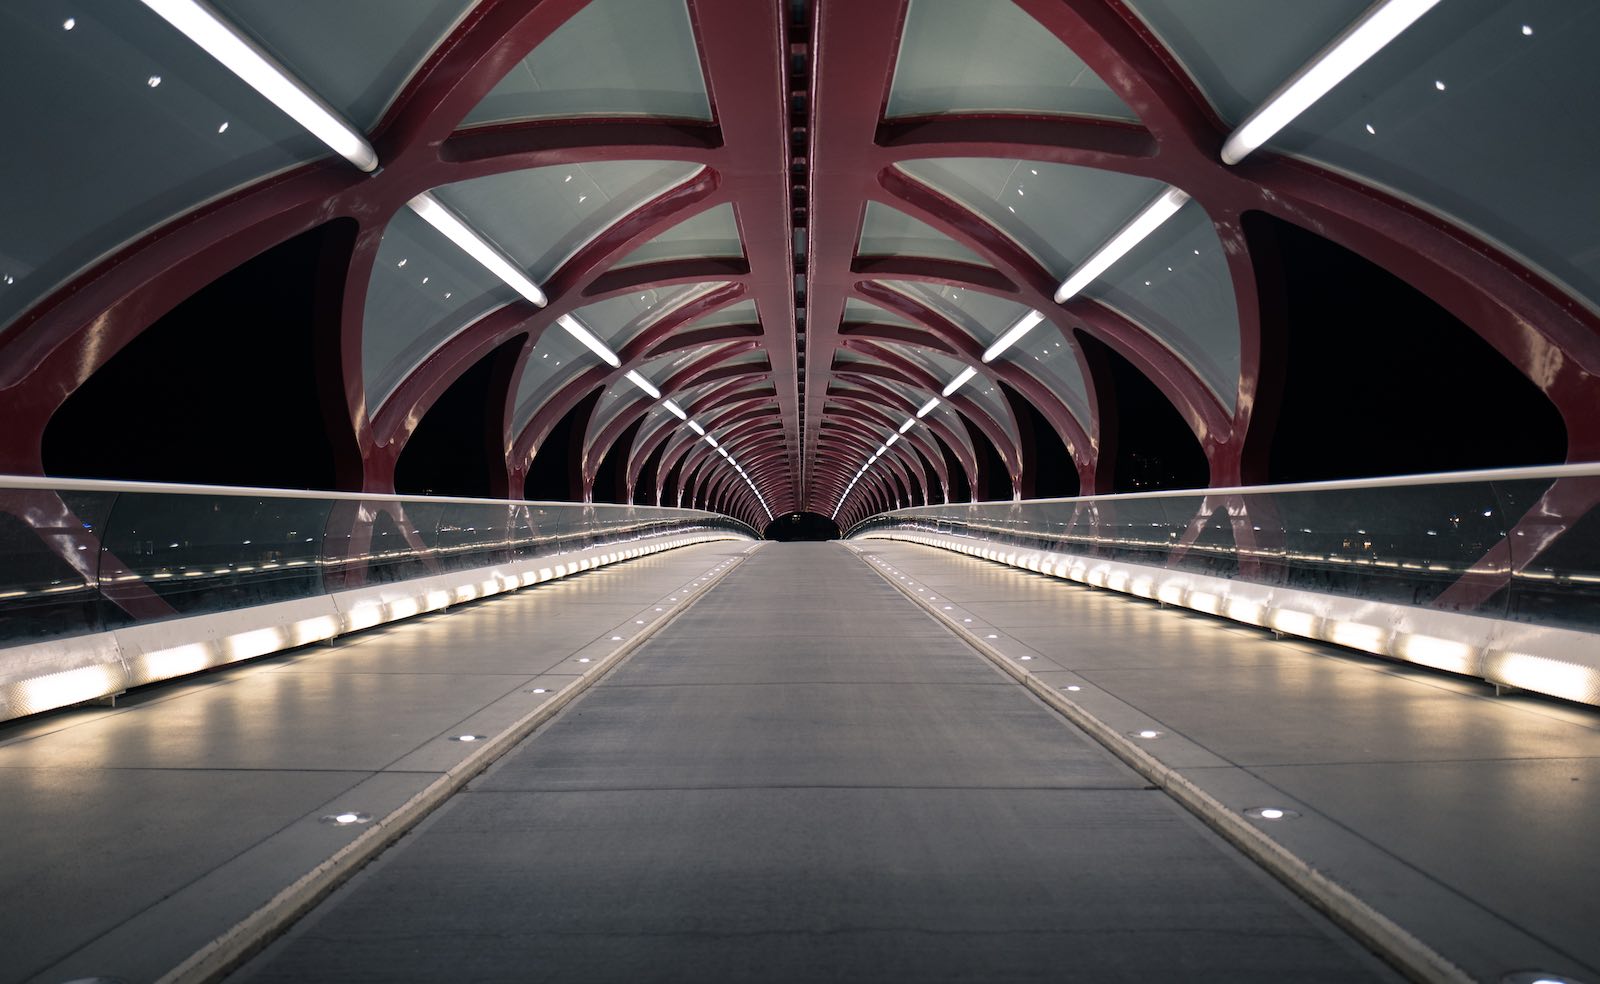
{"x": 1502, "y": 548}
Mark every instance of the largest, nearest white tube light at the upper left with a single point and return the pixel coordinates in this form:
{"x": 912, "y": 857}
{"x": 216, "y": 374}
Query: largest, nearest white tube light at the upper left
{"x": 223, "y": 42}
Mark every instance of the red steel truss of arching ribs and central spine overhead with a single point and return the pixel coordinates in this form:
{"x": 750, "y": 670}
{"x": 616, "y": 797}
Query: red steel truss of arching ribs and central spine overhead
{"x": 798, "y": 151}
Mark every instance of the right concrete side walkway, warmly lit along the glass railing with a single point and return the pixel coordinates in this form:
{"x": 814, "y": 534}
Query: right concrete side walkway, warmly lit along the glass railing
{"x": 1463, "y": 817}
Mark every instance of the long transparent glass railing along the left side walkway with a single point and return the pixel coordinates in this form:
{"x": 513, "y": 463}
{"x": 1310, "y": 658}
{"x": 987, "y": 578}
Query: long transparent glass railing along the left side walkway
{"x": 78, "y": 562}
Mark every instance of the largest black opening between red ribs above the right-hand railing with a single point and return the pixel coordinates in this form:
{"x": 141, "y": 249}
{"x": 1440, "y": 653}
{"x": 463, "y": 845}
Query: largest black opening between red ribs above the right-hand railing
{"x": 1380, "y": 380}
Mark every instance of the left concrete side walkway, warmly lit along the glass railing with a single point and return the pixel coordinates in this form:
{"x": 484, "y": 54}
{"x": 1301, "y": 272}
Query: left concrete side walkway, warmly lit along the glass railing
{"x": 134, "y": 836}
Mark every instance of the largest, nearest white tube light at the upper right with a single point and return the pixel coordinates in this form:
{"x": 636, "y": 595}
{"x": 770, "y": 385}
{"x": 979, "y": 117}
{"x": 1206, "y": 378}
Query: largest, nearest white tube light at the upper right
{"x": 1348, "y": 52}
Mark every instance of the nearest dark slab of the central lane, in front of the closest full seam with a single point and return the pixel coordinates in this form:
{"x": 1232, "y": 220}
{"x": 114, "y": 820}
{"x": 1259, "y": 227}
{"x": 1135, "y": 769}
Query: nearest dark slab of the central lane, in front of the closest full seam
{"x": 814, "y": 886}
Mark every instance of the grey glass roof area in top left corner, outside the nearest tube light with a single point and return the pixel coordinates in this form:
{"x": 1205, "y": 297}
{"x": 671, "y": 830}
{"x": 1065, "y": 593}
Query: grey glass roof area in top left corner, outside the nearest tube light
{"x": 110, "y": 154}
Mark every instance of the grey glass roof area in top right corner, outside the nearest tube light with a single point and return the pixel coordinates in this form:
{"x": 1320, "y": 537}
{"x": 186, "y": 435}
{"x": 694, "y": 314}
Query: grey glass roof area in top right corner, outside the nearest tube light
{"x": 1447, "y": 114}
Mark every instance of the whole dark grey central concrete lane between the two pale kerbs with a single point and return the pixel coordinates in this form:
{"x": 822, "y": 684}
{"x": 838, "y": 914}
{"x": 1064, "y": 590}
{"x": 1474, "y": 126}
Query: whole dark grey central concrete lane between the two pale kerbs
{"x": 807, "y": 778}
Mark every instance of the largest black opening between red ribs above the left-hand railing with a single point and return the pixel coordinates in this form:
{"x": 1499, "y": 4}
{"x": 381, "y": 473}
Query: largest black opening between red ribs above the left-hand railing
{"x": 225, "y": 388}
